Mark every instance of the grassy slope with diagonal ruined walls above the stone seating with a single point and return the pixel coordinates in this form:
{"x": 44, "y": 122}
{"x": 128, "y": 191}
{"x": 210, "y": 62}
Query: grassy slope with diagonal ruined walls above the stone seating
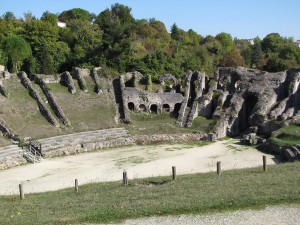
{"x": 85, "y": 110}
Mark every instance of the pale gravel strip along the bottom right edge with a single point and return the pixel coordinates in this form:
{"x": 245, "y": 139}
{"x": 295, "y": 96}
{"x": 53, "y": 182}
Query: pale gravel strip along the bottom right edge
{"x": 272, "y": 215}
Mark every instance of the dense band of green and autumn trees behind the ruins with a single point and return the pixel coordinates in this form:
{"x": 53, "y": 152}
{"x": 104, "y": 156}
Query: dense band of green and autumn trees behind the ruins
{"x": 118, "y": 42}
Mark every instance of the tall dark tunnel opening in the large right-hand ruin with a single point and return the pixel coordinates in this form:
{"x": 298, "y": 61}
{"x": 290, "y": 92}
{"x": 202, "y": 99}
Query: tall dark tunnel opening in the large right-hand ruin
{"x": 246, "y": 112}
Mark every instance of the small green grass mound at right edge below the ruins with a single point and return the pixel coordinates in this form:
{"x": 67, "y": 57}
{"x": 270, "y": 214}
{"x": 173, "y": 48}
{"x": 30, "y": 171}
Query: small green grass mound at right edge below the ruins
{"x": 287, "y": 136}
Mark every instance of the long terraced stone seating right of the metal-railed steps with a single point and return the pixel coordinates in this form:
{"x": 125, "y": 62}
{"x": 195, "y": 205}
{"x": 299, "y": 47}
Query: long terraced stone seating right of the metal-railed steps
{"x": 85, "y": 141}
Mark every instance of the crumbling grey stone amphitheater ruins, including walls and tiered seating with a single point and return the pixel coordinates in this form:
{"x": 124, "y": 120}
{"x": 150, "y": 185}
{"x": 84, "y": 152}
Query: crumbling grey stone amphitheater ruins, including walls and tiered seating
{"x": 240, "y": 100}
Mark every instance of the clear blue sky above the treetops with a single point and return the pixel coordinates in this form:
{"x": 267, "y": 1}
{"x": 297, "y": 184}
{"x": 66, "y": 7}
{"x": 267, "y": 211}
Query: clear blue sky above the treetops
{"x": 241, "y": 18}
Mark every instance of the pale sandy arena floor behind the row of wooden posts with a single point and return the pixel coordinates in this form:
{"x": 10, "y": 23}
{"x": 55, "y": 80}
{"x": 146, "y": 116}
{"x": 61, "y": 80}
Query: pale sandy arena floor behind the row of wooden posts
{"x": 138, "y": 161}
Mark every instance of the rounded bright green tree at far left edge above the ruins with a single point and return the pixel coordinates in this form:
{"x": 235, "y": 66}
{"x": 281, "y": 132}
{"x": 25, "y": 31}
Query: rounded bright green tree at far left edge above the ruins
{"x": 17, "y": 50}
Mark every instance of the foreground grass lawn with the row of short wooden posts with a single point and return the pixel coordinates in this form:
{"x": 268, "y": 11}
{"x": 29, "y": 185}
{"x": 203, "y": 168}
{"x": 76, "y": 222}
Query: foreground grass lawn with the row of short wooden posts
{"x": 188, "y": 194}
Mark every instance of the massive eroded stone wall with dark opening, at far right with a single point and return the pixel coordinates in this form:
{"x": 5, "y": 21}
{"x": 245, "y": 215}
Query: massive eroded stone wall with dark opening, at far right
{"x": 259, "y": 99}
